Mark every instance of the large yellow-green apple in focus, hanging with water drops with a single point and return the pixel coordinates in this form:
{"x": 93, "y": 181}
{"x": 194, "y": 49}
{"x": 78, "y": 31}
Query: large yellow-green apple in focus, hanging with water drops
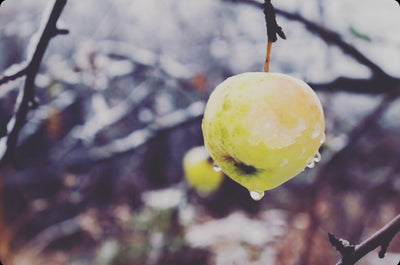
{"x": 262, "y": 129}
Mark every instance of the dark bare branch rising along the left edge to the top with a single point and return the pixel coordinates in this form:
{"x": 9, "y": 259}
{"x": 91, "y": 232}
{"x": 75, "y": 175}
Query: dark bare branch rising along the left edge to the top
{"x": 27, "y": 94}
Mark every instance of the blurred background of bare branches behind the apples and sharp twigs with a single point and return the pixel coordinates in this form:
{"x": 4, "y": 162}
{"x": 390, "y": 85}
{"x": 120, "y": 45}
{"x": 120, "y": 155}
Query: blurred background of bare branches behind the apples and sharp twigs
{"x": 98, "y": 175}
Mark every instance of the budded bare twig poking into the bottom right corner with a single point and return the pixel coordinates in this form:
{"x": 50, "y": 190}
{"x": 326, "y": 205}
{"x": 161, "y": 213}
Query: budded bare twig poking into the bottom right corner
{"x": 351, "y": 254}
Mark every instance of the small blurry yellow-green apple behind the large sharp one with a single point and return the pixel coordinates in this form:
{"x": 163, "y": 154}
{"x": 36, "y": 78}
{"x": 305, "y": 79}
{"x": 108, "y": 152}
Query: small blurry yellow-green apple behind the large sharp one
{"x": 199, "y": 171}
